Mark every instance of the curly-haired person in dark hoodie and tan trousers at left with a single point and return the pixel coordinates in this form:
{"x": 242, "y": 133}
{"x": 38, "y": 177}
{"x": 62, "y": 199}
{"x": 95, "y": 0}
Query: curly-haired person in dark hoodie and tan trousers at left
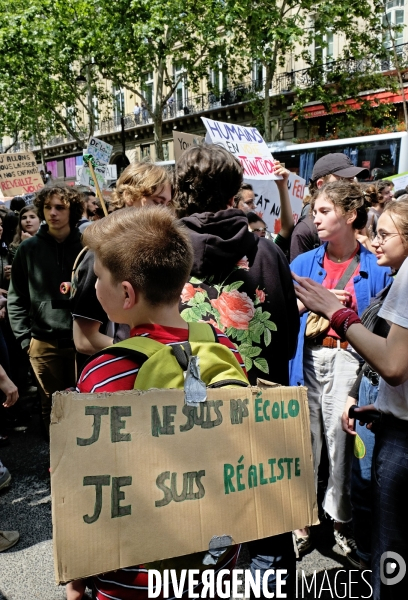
{"x": 39, "y": 313}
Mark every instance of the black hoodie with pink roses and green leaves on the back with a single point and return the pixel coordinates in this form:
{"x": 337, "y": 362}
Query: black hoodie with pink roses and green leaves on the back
{"x": 254, "y": 302}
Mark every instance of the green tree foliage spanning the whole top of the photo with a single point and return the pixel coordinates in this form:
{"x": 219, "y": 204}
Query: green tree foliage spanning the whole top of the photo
{"x": 45, "y": 45}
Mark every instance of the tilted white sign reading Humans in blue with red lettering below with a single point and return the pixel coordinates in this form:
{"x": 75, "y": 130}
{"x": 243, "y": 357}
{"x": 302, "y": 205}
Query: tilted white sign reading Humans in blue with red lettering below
{"x": 246, "y": 144}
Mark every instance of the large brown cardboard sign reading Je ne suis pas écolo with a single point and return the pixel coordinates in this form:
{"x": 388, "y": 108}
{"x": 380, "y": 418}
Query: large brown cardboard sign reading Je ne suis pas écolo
{"x": 132, "y": 472}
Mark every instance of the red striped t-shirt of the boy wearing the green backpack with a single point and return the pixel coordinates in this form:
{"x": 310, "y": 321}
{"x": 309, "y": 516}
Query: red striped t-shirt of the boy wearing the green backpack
{"x": 108, "y": 373}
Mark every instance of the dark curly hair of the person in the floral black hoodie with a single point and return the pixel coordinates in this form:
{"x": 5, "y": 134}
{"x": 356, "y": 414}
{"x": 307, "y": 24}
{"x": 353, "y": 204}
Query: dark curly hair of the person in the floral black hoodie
{"x": 207, "y": 177}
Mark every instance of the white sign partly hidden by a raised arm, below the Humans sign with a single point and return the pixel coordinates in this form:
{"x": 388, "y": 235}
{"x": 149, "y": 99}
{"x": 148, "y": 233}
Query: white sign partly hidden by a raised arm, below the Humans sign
{"x": 267, "y": 201}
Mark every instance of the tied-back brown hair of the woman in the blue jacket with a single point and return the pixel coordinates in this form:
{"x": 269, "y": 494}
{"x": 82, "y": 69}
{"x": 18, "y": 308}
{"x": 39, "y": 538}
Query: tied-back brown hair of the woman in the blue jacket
{"x": 347, "y": 197}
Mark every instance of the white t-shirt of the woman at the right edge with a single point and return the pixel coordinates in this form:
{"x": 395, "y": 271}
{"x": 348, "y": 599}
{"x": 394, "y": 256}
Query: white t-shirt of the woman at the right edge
{"x": 394, "y": 400}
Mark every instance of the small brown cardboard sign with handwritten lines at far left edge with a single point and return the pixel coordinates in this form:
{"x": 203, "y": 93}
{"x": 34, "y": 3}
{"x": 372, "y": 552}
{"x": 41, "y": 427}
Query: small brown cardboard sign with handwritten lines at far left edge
{"x": 19, "y": 174}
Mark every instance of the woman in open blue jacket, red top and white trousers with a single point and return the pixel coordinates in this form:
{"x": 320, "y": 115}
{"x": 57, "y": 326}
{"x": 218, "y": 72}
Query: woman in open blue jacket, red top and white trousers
{"x": 324, "y": 362}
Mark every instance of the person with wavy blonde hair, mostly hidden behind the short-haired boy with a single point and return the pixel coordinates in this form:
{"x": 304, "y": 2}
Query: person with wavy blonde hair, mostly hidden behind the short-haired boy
{"x": 140, "y": 185}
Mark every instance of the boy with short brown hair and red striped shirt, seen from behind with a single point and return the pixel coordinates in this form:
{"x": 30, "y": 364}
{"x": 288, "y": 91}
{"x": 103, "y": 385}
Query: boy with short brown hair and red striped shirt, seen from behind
{"x": 143, "y": 258}
